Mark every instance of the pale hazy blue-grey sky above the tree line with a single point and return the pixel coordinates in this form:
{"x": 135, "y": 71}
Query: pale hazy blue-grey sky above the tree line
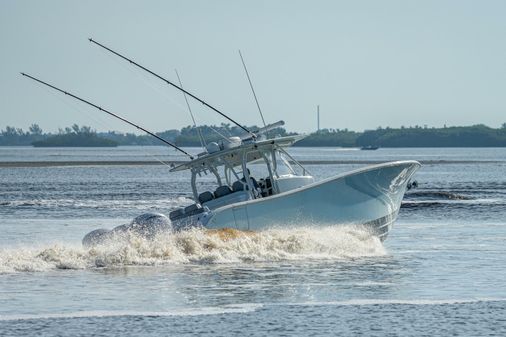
{"x": 366, "y": 63}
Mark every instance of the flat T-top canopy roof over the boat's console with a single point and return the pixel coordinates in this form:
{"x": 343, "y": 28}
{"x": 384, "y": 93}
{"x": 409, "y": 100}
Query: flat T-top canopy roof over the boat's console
{"x": 234, "y": 156}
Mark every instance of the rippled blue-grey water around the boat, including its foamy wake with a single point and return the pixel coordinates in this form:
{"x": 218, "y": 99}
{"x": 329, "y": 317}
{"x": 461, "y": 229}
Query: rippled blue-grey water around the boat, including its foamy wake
{"x": 440, "y": 272}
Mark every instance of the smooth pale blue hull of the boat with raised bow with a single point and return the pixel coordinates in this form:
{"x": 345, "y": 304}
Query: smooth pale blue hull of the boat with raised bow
{"x": 370, "y": 197}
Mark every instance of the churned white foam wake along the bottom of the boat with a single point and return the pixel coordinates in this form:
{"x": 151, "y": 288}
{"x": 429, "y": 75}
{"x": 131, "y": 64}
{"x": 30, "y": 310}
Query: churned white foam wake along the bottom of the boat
{"x": 199, "y": 246}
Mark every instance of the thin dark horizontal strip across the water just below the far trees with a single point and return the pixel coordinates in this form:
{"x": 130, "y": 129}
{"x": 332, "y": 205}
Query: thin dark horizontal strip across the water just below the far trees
{"x": 24, "y": 164}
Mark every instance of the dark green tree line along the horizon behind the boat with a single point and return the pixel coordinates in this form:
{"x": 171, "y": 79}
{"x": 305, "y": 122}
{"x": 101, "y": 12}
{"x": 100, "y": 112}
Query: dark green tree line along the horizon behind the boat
{"x": 457, "y": 136}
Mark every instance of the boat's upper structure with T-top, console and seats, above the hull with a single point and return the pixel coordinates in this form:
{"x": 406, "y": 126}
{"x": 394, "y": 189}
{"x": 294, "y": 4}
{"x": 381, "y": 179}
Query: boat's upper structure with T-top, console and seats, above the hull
{"x": 229, "y": 163}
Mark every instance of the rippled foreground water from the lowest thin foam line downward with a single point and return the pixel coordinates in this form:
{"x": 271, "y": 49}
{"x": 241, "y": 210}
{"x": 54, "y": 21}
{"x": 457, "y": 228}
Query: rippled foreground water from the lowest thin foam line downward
{"x": 415, "y": 318}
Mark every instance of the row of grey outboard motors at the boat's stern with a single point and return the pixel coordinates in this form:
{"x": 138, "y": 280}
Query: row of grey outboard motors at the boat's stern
{"x": 146, "y": 225}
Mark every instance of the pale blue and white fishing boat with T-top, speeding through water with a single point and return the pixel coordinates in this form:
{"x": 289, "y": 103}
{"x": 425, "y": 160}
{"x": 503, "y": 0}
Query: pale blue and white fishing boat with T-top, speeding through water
{"x": 258, "y": 185}
